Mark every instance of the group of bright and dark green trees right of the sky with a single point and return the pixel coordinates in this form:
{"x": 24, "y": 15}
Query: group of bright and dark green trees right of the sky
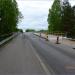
{"x": 62, "y": 18}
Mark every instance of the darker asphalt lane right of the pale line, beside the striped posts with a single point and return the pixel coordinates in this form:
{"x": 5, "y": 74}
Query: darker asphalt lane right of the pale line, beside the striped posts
{"x": 57, "y": 61}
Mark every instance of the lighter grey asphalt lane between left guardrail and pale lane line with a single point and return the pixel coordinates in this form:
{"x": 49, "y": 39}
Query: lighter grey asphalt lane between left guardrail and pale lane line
{"x": 17, "y": 57}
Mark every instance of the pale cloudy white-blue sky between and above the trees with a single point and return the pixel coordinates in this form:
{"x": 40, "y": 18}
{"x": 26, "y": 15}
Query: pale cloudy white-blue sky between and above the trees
{"x": 35, "y": 13}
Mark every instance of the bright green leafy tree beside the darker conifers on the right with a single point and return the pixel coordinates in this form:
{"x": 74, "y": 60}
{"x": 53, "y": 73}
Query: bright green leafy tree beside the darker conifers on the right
{"x": 54, "y": 17}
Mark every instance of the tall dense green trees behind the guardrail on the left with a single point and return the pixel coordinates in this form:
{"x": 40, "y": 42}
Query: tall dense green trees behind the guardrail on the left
{"x": 9, "y": 16}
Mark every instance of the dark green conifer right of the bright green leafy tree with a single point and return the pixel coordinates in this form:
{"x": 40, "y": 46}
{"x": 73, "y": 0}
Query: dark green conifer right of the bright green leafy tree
{"x": 67, "y": 19}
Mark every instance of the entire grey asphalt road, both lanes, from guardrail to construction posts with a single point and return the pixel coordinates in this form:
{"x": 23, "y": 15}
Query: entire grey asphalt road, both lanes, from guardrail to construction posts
{"x": 17, "y": 57}
